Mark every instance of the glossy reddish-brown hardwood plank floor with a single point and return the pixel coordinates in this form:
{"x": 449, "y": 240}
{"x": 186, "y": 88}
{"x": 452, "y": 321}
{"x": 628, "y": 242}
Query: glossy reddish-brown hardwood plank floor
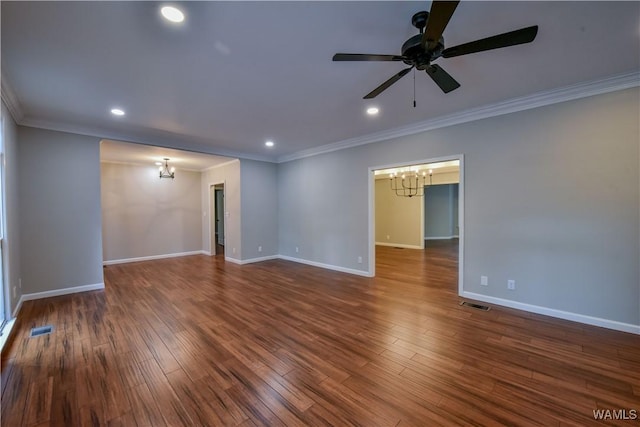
{"x": 197, "y": 341}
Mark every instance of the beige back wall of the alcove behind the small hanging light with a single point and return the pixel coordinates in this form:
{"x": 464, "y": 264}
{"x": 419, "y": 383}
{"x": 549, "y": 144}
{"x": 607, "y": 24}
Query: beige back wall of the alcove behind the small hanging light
{"x": 143, "y": 215}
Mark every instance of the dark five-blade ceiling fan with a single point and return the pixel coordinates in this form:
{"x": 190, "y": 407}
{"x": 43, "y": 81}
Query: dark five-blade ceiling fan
{"x": 422, "y": 49}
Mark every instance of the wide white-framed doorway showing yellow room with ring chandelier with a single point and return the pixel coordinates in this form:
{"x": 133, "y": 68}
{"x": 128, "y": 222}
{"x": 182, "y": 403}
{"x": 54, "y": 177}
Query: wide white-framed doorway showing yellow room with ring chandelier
{"x": 412, "y": 235}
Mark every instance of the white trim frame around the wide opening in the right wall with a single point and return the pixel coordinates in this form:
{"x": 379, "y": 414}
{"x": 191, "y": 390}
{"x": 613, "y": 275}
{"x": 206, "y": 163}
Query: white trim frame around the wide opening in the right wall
{"x": 372, "y": 209}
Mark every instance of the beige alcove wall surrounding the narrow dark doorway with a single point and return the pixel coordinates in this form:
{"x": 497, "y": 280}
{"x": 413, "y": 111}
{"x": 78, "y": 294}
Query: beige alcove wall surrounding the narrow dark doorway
{"x": 229, "y": 174}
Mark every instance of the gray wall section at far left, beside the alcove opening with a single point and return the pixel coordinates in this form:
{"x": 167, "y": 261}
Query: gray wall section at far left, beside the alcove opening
{"x": 60, "y": 223}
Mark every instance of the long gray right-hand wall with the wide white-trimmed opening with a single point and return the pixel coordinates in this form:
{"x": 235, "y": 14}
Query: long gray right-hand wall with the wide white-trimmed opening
{"x": 565, "y": 225}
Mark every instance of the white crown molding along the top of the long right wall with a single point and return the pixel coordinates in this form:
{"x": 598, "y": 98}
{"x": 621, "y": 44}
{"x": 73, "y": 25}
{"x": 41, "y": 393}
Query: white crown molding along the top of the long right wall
{"x": 564, "y": 94}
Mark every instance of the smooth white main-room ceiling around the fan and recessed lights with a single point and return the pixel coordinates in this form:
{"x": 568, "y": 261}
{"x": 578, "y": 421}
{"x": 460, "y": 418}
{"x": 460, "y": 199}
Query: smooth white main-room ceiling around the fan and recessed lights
{"x": 239, "y": 73}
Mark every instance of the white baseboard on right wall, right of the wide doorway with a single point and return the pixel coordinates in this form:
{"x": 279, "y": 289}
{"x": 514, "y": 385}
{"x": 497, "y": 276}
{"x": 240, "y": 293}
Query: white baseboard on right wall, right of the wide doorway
{"x": 566, "y": 315}
